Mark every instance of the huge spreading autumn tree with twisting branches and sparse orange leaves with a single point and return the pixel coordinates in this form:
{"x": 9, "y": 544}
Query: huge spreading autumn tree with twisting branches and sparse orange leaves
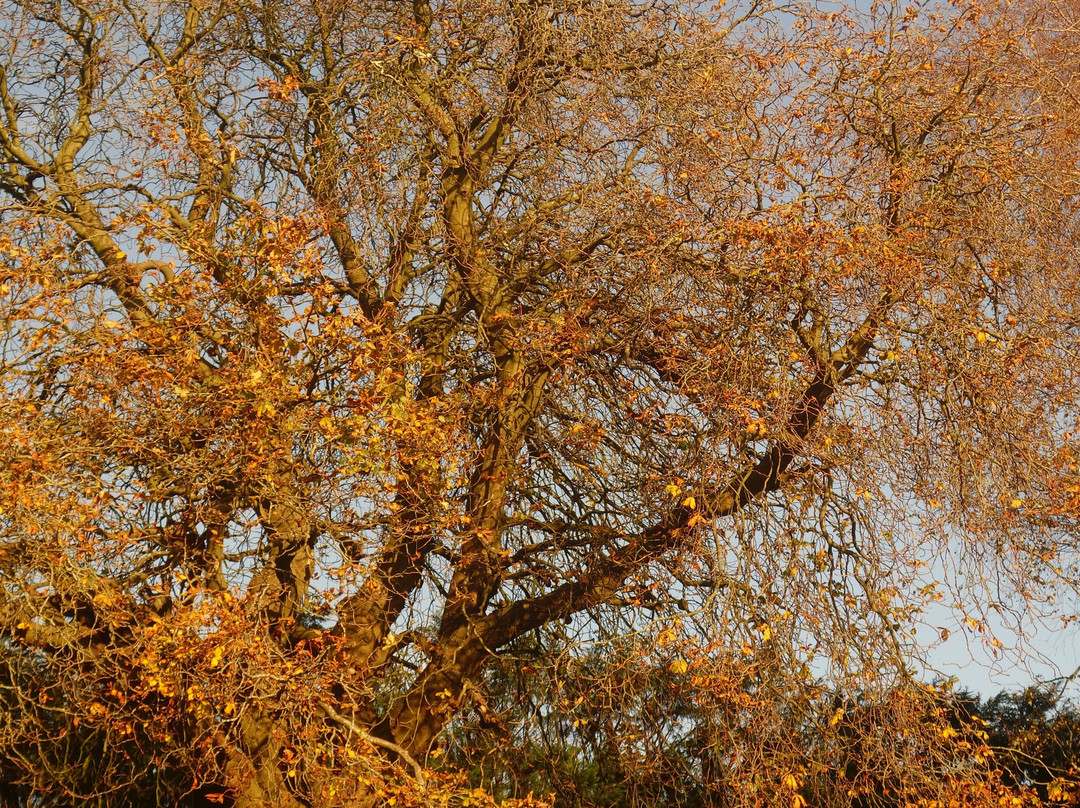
{"x": 352, "y": 346}
